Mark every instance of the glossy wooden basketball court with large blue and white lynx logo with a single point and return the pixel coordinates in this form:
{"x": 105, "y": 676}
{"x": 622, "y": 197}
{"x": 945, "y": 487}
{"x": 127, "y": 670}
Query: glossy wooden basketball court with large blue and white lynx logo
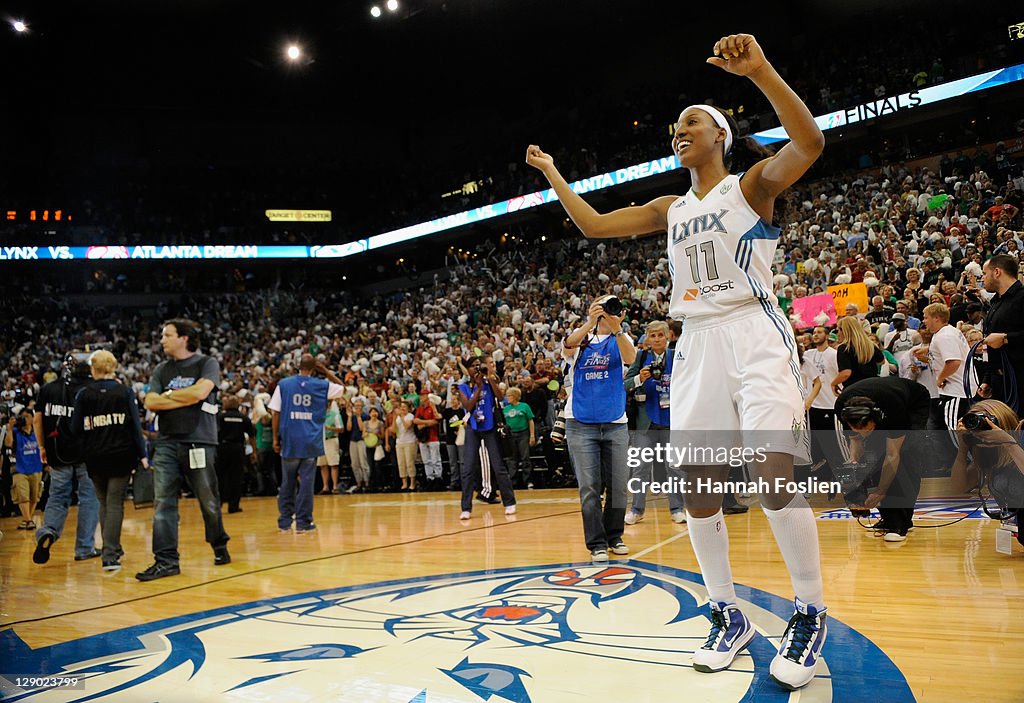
{"x": 945, "y": 607}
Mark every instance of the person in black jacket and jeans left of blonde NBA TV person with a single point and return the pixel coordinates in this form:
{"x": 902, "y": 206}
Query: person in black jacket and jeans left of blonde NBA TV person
{"x": 63, "y": 452}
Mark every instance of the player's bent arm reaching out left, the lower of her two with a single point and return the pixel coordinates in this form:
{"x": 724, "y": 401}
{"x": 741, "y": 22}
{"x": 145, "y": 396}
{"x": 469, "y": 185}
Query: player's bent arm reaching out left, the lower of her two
{"x": 644, "y": 219}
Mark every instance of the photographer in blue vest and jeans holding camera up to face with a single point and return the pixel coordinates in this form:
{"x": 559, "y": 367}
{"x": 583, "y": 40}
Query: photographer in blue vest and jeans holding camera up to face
{"x": 595, "y": 424}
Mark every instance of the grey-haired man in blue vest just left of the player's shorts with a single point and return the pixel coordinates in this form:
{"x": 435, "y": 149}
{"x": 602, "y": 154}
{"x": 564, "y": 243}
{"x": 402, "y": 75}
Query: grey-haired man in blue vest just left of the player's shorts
{"x": 649, "y": 380}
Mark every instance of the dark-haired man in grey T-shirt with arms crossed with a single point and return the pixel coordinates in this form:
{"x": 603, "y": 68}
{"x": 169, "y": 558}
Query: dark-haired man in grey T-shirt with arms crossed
{"x": 184, "y": 394}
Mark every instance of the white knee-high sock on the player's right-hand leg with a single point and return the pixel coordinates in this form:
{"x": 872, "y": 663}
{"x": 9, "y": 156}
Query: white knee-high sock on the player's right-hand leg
{"x": 797, "y": 535}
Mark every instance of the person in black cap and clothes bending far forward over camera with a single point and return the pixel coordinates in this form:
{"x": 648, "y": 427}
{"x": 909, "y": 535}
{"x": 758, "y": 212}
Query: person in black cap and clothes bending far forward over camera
{"x": 875, "y": 410}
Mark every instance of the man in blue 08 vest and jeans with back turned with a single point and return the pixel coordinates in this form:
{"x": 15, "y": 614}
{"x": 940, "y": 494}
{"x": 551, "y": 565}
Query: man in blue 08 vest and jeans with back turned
{"x": 300, "y": 407}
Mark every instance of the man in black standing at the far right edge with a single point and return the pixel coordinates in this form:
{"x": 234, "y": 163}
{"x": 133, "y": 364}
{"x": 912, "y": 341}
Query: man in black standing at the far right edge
{"x": 1004, "y": 326}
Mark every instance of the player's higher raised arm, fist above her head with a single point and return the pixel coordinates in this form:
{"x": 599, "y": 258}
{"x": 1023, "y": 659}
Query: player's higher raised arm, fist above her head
{"x": 742, "y": 56}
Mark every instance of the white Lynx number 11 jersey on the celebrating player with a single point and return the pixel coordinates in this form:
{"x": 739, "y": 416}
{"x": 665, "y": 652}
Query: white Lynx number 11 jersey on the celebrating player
{"x": 720, "y": 253}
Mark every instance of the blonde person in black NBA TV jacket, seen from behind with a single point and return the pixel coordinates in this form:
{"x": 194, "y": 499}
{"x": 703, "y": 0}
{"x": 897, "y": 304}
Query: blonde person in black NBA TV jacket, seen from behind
{"x": 106, "y": 417}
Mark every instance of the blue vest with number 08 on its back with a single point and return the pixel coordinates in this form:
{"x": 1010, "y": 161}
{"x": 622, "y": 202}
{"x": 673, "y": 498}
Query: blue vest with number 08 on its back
{"x": 304, "y": 409}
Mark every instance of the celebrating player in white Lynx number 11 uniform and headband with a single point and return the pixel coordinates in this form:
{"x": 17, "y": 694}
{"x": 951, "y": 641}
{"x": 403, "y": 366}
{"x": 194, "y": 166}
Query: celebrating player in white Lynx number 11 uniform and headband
{"x": 736, "y": 367}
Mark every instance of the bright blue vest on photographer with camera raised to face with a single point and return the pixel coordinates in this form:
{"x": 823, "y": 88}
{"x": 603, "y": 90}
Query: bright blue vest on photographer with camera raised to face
{"x": 599, "y": 394}
